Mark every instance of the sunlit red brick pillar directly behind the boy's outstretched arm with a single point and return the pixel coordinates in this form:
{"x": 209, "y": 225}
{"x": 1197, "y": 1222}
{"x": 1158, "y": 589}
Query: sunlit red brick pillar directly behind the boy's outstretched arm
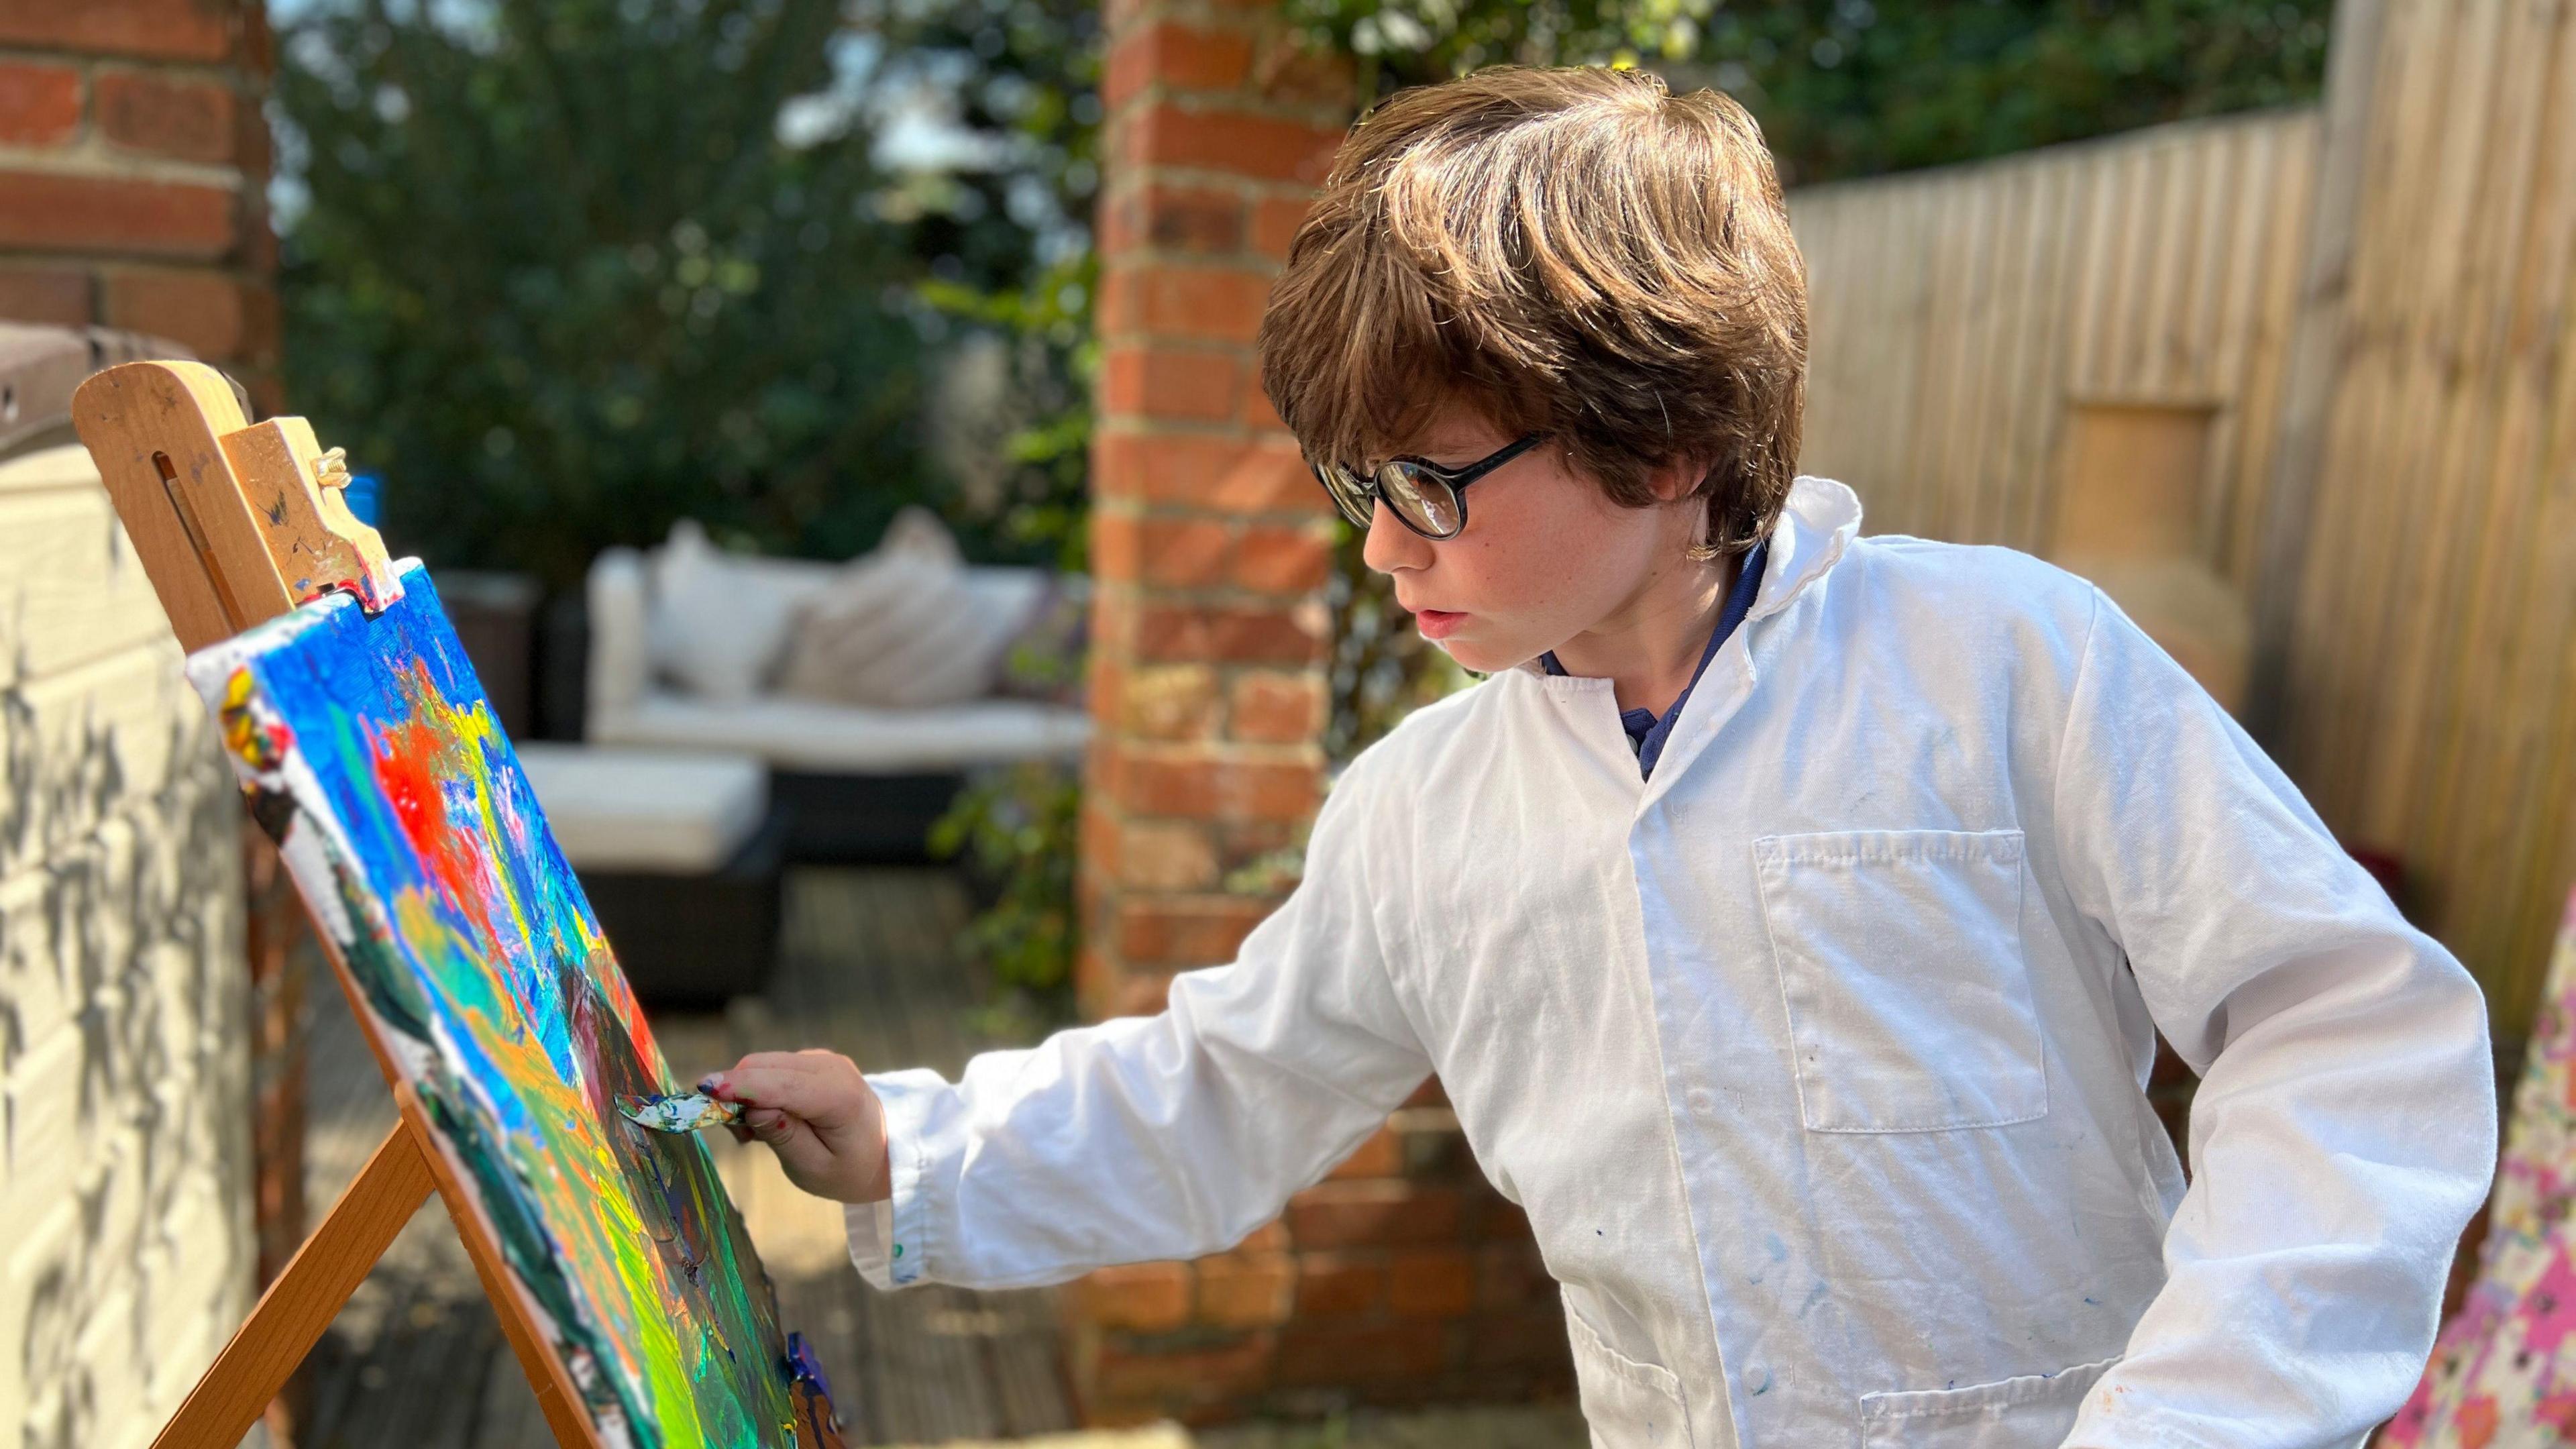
{"x": 1403, "y": 1278}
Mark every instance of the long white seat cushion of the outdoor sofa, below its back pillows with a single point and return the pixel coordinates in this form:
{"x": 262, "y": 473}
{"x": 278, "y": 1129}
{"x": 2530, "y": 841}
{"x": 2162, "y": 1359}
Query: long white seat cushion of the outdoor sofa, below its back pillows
{"x": 851, "y": 739}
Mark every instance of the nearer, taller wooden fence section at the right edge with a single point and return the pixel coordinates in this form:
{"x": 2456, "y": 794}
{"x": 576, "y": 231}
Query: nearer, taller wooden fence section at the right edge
{"x": 2433, "y": 648}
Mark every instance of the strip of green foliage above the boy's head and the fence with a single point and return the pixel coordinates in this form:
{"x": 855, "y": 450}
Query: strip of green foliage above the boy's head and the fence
{"x": 1853, "y": 86}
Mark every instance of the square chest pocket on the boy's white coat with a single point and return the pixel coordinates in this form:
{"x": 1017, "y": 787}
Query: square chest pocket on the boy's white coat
{"x": 1902, "y": 968}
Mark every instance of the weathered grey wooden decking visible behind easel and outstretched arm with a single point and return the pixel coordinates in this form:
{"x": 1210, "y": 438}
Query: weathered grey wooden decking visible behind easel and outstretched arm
{"x": 867, "y": 971}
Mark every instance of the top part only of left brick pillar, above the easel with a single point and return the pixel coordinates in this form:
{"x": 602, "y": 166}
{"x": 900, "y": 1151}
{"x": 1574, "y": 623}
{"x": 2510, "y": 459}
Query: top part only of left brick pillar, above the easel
{"x": 133, "y": 169}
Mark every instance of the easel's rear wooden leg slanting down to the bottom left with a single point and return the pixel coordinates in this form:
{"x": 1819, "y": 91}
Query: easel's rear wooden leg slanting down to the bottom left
{"x": 308, "y": 1296}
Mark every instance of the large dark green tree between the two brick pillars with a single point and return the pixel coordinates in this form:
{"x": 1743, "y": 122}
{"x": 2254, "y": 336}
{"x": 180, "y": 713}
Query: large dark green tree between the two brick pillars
{"x": 568, "y": 272}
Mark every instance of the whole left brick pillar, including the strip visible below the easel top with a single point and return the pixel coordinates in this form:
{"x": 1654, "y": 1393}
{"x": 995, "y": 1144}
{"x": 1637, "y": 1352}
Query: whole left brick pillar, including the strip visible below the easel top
{"x": 133, "y": 195}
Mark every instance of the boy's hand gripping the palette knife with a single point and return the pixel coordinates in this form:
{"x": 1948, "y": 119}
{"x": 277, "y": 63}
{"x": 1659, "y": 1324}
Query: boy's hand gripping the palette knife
{"x": 818, "y": 1115}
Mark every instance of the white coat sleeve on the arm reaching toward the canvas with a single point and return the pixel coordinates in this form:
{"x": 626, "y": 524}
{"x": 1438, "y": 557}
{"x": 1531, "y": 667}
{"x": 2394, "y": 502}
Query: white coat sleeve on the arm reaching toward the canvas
{"x": 1158, "y": 1136}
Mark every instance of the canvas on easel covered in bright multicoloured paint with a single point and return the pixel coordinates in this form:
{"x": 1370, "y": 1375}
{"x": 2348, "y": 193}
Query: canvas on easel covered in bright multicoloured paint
{"x": 413, "y": 837}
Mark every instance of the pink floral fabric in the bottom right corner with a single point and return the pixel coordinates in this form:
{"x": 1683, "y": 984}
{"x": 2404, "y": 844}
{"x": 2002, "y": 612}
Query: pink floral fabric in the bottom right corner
{"x": 2505, "y": 1368}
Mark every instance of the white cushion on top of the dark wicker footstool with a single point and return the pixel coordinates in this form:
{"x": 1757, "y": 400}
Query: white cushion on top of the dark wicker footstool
{"x": 648, "y": 811}
